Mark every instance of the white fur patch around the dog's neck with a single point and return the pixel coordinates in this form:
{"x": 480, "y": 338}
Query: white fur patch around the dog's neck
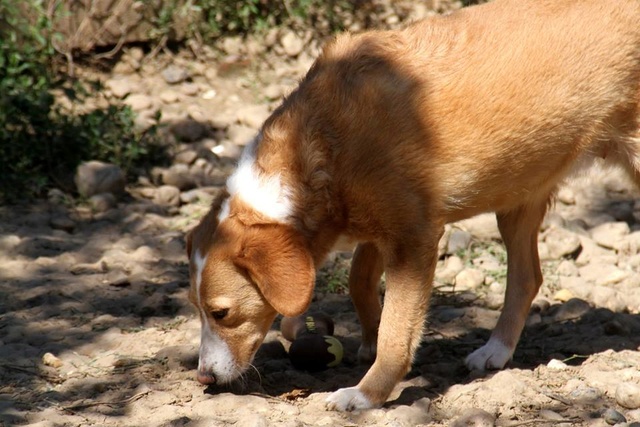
{"x": 264, "y": 193}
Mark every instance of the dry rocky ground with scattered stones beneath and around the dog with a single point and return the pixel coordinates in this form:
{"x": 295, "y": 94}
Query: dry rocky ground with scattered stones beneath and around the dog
{"x": 96, "y": 329}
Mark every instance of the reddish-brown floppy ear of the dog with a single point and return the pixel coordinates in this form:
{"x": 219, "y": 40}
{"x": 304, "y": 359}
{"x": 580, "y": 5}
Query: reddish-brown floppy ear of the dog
{"x": 279, "y": 262}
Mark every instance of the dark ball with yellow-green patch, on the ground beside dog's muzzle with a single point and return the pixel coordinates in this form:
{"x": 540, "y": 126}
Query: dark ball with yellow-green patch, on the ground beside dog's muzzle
{"x": 315, "y": 352}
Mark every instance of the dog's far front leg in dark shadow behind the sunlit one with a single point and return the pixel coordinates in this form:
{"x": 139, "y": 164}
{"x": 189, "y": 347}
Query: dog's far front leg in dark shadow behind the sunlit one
{"x": 364, "y": 280}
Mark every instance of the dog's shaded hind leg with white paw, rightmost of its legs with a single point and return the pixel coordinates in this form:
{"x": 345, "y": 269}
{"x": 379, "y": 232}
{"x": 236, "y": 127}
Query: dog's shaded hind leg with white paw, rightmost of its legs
{"x": 519, "y": 230}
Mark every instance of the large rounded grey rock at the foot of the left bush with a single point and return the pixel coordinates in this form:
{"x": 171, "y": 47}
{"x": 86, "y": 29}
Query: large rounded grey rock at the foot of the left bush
{"x": 96, "y": 177}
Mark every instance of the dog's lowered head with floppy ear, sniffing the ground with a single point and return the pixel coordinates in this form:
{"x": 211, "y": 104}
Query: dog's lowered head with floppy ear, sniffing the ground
{"x": 243, "y": 273}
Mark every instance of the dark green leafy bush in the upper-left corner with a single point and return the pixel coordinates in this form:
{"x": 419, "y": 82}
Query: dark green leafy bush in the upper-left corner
{"x": 41, "y": 143}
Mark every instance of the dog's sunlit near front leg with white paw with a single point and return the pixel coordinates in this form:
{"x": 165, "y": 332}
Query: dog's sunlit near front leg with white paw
{"x": 409, "y": 273}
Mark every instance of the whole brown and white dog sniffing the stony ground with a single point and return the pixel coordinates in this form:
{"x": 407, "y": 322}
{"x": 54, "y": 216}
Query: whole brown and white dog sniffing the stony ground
{"x": 393, "y": 134}
